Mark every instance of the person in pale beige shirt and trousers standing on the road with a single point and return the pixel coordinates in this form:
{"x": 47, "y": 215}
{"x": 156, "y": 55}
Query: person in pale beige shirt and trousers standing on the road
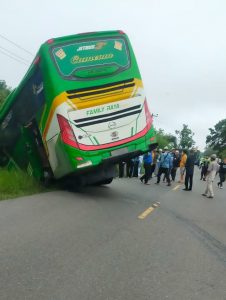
{"x": 211, "y": 173}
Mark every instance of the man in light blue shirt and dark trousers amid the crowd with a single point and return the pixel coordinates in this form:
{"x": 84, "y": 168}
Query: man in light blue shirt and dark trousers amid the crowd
{"x": 165, "y": 164}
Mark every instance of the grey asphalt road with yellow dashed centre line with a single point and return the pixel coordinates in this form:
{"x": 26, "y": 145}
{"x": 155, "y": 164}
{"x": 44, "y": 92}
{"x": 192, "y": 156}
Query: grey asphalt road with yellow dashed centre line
{"x": 112, "y": 243}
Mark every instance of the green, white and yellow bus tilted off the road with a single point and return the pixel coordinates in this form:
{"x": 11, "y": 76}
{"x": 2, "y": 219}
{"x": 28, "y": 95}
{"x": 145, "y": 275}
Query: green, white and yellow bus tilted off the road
{"x": 78, "y": 111}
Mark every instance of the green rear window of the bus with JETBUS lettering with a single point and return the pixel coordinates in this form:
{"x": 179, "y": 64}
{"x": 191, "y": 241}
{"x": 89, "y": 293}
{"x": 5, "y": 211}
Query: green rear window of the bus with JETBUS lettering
{"x": 91, "y": 58}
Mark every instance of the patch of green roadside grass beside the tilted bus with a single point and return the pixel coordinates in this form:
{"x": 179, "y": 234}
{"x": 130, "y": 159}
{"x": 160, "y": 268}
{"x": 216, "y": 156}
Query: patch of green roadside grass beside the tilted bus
{"x": 16, "y": 183}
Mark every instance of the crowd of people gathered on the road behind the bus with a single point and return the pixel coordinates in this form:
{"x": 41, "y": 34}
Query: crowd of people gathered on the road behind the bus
{"x": 169, "y": 162}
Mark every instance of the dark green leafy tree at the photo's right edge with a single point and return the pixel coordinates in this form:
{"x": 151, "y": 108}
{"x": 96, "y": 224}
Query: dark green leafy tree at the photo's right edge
{"x": 217, "y": 137}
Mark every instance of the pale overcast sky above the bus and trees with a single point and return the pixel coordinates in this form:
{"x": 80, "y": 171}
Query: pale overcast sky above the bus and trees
{"x": 180, "y": 48}
